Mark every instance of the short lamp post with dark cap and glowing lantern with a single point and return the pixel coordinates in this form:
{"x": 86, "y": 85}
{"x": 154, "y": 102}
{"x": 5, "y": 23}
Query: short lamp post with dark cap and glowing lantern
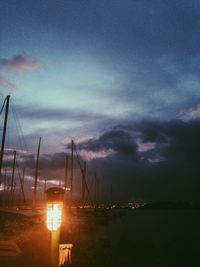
{"x": 54, "y": 207}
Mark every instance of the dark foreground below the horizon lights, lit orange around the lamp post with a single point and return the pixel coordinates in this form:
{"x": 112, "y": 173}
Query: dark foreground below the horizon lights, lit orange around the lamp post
{"x": 142, "y": 238}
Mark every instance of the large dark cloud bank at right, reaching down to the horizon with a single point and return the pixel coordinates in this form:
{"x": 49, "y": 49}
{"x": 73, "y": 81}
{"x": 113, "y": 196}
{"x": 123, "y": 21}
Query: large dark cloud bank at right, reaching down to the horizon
{"x": 168, "y": 171}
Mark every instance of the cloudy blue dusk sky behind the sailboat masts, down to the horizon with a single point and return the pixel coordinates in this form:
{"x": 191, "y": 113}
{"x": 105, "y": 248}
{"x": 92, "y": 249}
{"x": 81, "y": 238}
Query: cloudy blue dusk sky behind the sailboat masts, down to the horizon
{"x": 120, "y": 77}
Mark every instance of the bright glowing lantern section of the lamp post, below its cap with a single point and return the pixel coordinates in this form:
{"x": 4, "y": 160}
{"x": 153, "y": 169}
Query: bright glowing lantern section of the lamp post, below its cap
{"x": 54, "y": 216}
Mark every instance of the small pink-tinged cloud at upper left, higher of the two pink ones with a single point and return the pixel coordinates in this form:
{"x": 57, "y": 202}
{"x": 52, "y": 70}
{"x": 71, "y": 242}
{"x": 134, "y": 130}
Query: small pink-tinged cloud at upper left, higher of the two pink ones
{"x": 19, "y": 63}
